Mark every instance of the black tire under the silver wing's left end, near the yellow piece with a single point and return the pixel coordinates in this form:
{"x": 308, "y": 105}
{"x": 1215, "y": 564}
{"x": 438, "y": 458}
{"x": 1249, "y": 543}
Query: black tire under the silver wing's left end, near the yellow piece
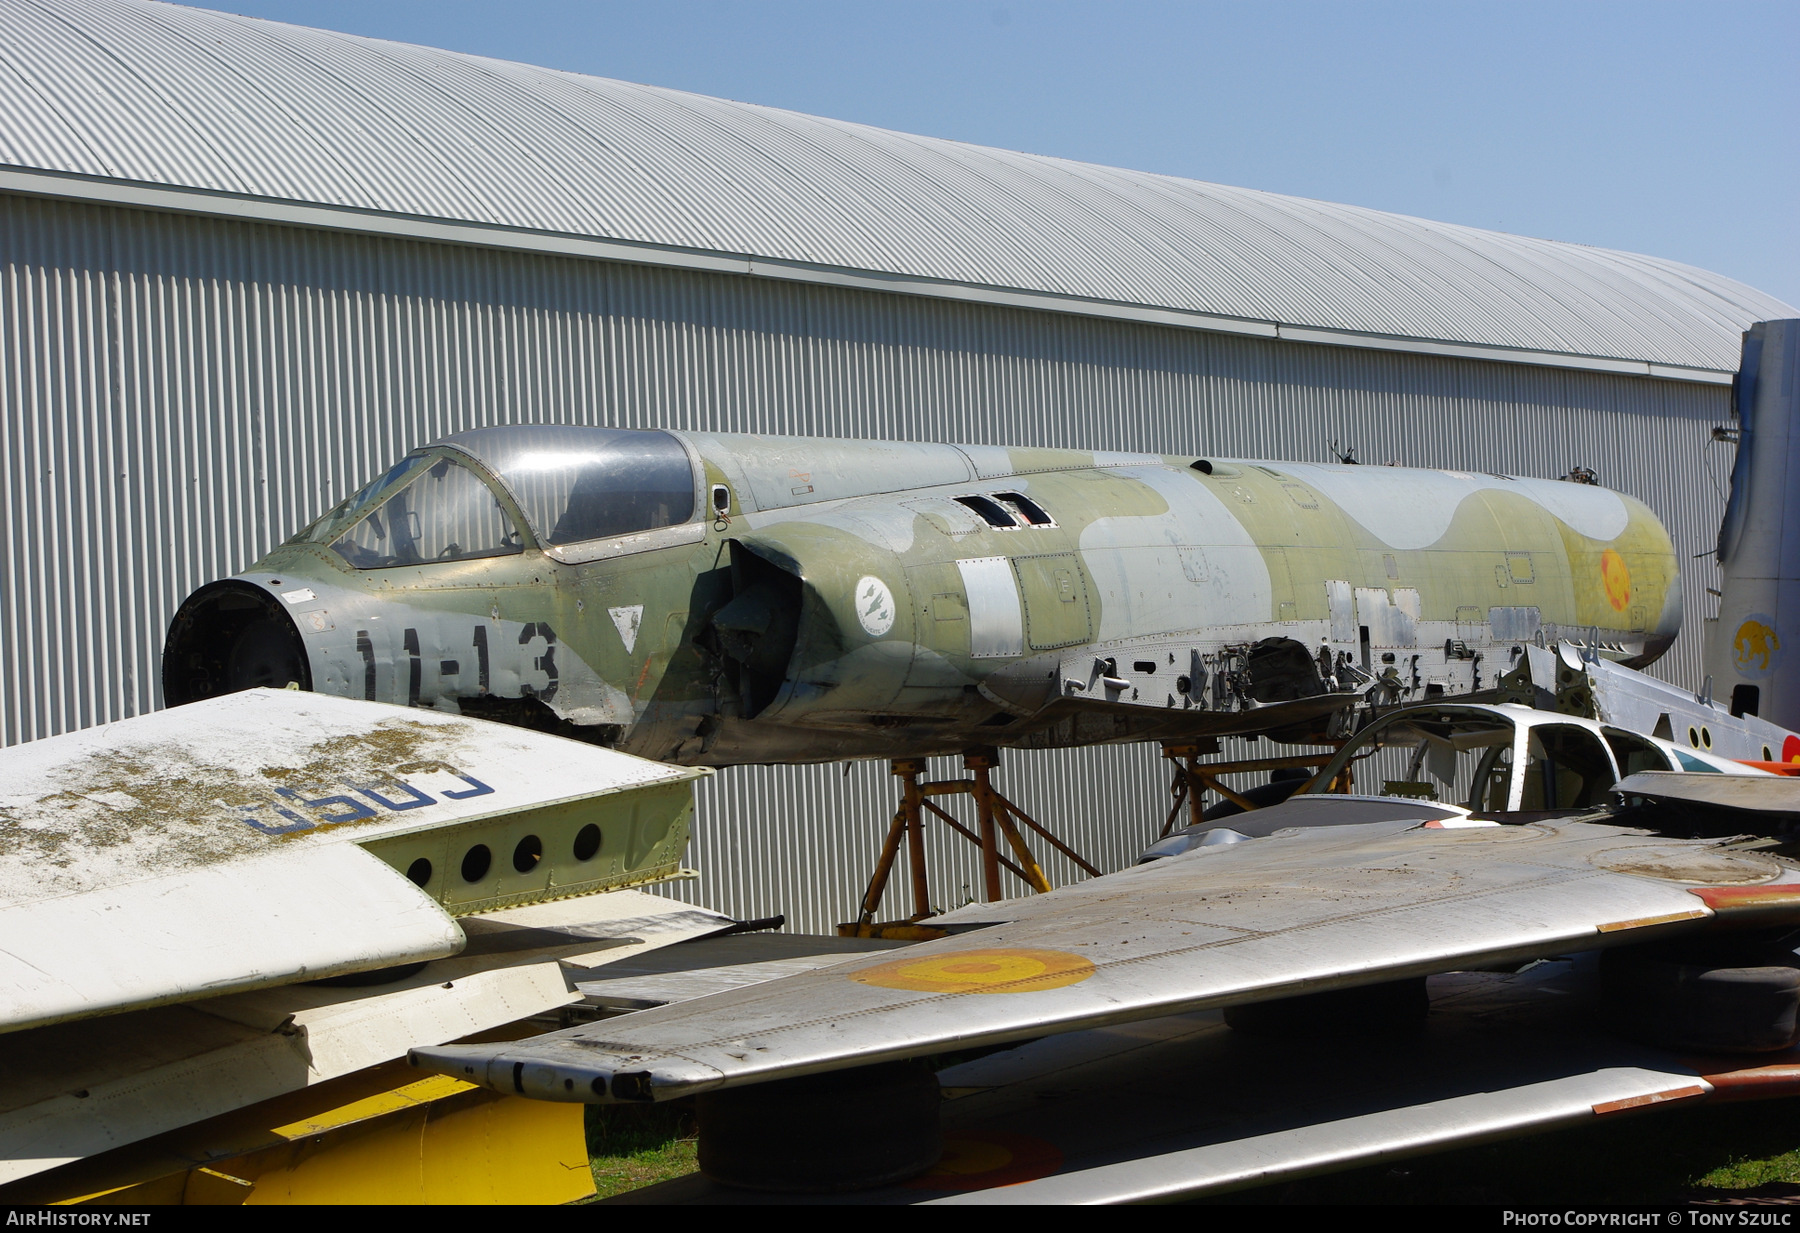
{"x": 831, "y": 1133}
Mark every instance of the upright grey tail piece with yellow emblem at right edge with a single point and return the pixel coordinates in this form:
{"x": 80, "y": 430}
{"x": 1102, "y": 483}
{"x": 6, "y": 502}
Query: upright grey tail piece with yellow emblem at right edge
{"x": 1756, "y": 647}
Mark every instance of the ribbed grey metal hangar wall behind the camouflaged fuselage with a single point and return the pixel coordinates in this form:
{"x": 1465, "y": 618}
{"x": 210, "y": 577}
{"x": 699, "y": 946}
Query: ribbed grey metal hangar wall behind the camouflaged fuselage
{"x": 181, "y": 393}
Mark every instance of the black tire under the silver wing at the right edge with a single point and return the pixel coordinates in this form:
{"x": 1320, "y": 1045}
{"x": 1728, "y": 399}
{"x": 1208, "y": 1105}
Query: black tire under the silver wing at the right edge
{"x": 1704, "y": 1000}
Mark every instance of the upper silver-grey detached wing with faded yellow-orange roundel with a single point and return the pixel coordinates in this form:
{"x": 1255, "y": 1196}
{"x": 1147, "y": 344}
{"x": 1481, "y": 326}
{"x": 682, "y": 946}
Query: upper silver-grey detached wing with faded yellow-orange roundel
{"x": 1293, "y": 913}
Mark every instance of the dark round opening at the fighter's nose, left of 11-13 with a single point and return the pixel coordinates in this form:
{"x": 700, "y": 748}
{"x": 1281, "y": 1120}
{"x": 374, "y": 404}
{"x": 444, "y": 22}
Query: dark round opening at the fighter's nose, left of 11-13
{"x": 231, "y": 636}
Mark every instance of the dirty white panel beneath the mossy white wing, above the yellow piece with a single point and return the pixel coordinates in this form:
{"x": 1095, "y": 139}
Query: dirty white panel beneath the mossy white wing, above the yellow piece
{"x": 84, "y": 1088}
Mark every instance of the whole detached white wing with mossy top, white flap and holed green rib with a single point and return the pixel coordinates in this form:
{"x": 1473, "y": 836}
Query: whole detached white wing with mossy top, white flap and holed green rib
{"x": 276, "y": 836}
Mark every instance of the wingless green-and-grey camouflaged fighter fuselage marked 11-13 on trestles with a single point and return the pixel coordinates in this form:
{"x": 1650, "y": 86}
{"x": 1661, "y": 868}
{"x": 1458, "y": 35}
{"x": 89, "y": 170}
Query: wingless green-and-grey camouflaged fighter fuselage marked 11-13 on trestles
{"x": 710, "y": 598}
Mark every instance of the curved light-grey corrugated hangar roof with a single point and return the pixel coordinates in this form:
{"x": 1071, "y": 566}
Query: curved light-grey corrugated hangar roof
{"x": 193, "y": 111}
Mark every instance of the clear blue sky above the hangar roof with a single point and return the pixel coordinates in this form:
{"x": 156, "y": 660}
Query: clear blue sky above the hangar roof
{"x": 1664, "y": 129}
